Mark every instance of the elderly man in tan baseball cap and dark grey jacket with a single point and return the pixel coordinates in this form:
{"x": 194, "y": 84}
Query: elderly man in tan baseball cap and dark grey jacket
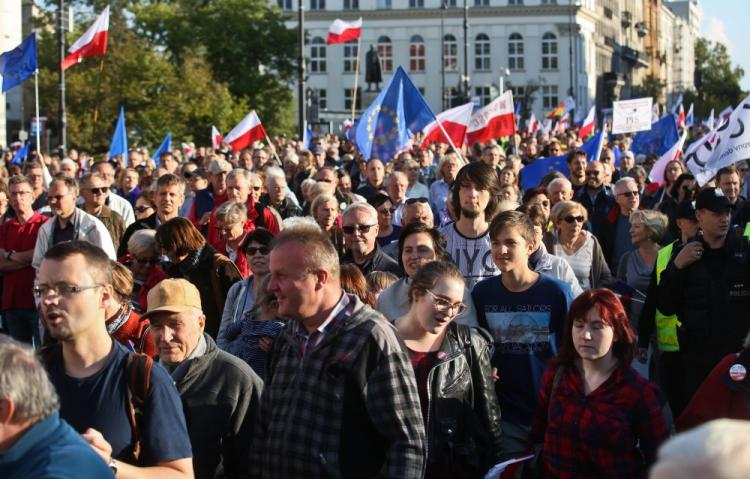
{"x": 220, "y": 393}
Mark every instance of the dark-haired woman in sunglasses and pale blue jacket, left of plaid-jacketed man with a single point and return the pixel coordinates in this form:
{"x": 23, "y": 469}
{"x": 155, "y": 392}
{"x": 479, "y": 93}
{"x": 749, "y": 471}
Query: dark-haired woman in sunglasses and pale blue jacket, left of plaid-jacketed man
{"x": 242, "y": 295}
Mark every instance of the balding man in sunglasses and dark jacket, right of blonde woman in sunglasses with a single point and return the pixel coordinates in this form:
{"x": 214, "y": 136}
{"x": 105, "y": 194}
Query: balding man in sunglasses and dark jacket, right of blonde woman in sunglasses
{"x": 614, "y": 233}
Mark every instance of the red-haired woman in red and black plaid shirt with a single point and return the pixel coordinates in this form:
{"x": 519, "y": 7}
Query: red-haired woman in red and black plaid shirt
{"x": 597, "y": 416}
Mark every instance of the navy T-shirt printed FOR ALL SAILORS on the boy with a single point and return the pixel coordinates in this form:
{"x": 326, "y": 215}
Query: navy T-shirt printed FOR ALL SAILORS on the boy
{"x": 526, "y": 329}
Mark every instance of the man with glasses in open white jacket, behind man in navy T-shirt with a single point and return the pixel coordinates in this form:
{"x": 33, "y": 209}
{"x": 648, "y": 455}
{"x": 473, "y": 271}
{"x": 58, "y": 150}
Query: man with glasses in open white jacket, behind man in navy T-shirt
{"x": 69, "y": 223}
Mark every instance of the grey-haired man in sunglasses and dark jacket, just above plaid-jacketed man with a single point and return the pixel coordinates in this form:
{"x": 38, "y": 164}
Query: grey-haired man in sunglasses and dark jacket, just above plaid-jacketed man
{"x": 360, "y": 226}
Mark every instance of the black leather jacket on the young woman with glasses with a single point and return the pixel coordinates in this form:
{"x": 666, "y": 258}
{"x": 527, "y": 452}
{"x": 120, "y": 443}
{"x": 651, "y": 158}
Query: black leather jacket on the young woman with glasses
{"x": 463, "y": 422}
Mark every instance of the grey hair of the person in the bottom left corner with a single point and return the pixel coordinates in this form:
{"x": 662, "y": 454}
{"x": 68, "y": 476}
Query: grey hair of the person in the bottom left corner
{"x": 24, "y": 382}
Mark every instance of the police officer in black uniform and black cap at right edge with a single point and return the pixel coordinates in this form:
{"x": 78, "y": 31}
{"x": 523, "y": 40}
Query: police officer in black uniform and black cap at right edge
{"x": 707, "y": 285}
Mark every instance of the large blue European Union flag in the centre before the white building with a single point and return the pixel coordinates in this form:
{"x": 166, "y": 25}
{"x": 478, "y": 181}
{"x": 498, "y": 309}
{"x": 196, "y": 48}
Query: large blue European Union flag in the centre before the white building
{"x": 387, "y": 126}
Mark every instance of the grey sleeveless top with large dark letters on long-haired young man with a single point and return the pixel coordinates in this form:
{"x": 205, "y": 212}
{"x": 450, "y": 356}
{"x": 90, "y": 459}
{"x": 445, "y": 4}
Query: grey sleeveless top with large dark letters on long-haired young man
{"x": 473, "y": 256}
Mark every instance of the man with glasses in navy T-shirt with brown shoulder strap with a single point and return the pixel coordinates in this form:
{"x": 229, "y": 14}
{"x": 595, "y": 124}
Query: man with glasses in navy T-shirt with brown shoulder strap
{"x": 90, "y": 371}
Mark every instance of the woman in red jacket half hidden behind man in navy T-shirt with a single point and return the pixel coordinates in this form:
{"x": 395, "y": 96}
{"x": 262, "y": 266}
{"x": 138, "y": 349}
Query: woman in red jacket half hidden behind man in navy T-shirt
{"x": 123, "y": 323}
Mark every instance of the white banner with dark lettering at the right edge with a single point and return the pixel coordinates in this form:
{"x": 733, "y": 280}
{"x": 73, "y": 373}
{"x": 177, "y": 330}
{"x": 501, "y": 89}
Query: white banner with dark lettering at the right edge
{"x": 726, "y": 145}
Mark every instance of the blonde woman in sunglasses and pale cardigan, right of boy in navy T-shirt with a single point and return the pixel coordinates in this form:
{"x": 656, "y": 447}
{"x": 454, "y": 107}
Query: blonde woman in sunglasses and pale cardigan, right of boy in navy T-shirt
{"x": 577, "y": 246}
